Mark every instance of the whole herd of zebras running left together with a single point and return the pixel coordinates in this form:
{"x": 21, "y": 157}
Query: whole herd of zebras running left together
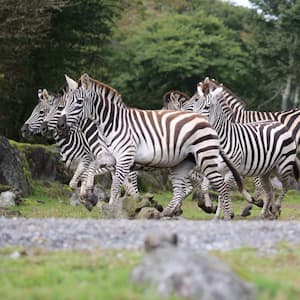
{"x": 208, "y": 139}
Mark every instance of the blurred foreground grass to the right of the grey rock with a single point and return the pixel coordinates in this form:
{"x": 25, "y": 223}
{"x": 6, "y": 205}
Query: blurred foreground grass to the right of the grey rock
{"x": 276, "y": 277}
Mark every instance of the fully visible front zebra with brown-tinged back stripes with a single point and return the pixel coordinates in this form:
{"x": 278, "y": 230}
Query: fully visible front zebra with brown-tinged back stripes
{"x": 176, "y": 140}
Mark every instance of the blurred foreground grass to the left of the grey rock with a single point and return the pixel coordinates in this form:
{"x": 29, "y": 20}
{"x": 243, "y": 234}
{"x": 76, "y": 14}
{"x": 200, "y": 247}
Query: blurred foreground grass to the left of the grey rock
{"x": 70, "y": 275}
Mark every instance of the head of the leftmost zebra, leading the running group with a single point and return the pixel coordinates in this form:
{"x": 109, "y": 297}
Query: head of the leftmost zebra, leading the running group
{"x": 33, "y": 124}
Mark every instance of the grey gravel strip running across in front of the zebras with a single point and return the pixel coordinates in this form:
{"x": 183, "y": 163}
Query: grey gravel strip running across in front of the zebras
{"x": 54, "y": 234}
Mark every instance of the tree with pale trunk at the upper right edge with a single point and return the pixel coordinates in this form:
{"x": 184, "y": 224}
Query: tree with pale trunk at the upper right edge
{"x": 278, "y": 43}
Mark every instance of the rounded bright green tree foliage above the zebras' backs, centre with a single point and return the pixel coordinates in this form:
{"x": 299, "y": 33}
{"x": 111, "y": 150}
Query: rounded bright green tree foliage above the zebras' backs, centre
{"x": 176, "y": 52}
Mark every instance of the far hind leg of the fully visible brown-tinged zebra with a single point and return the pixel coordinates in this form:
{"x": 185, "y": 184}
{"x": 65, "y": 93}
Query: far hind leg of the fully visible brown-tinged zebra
{"x": 180, "y": 178}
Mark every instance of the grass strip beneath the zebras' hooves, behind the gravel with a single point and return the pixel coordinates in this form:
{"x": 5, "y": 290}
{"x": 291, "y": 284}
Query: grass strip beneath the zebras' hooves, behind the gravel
{"x": 52, "y": 200}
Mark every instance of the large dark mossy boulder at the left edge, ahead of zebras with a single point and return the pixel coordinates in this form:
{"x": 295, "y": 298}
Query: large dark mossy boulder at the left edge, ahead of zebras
{"x": 14, "y": 169}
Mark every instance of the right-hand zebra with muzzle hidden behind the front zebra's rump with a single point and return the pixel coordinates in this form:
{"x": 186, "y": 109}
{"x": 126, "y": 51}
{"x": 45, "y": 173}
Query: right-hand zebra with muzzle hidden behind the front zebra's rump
{"x": 256, "y": 149}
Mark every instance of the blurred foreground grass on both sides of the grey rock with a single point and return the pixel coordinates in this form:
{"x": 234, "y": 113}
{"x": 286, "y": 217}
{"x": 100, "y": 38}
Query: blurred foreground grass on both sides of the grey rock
{"x": 104, "y": 274}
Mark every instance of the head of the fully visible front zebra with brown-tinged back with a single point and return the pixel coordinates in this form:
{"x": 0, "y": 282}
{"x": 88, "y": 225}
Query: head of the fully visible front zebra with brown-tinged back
{"x": 73, "y": 111}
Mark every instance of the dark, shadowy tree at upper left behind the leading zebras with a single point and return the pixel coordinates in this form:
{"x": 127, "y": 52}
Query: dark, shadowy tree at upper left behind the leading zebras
{"x": 41, "y": 41}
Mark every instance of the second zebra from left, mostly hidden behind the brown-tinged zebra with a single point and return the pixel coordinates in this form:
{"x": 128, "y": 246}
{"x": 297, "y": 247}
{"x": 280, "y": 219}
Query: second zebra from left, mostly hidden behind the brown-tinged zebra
{"x": 83, "y": 145}
